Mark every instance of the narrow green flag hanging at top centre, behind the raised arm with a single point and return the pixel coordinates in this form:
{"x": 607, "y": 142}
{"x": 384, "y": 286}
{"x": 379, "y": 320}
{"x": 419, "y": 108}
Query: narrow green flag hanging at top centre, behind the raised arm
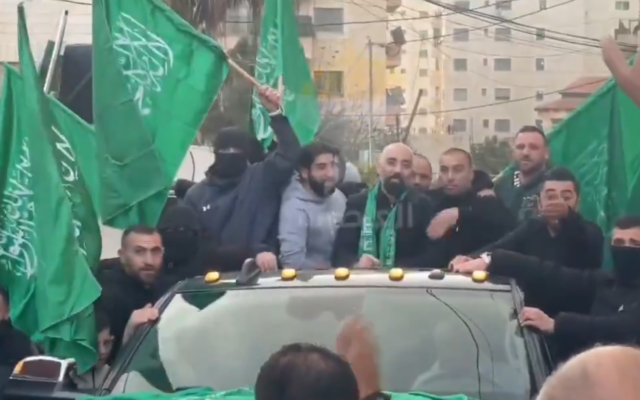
{"x": 281, "y": 55}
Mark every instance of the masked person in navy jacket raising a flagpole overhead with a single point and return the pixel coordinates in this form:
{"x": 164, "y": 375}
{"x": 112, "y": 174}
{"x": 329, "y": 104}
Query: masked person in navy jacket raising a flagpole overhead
{"x": 238, "y": 202}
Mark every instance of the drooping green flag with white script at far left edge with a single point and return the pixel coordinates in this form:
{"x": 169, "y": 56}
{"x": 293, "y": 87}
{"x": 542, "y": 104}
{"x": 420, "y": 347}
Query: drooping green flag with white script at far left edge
{"x": 51, "y": 286}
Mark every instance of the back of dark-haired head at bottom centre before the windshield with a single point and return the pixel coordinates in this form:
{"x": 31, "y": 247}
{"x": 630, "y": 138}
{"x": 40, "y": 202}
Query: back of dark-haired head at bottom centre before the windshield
{"x": 302, "y": 371}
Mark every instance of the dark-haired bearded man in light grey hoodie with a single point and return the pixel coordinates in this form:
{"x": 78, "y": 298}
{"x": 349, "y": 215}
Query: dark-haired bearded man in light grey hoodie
{"x": 311, "y": 210}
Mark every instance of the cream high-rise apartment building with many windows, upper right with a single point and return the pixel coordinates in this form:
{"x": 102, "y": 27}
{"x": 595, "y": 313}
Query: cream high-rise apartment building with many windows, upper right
{"x": 499, "y": 73}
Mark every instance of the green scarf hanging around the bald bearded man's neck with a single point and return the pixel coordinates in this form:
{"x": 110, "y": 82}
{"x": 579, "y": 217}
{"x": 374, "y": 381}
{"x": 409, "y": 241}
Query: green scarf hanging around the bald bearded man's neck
{"x": 386, "y": 252}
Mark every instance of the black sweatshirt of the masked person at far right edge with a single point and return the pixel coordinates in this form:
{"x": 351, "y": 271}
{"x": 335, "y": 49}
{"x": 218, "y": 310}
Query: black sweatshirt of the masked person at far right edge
{"x": 613, "y": 305}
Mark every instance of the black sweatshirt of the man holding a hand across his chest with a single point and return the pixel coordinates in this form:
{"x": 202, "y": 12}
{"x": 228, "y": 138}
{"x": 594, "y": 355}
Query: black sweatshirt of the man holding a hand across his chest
{"x": 481, "y": 221}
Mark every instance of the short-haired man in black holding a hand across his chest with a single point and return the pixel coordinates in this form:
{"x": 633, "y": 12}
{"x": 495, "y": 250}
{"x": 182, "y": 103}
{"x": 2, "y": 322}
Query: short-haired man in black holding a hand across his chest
{"x": 465, "y": 222}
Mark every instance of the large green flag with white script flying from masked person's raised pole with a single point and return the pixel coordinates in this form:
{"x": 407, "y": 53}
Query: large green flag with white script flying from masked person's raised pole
{"x": 154, "y": 80}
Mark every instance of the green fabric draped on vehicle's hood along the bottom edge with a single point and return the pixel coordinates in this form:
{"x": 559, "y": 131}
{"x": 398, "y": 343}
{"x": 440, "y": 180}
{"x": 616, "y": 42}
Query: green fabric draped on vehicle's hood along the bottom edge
{"x": 247, "y": 394}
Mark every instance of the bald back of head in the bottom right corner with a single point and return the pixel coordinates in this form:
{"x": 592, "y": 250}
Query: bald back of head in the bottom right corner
{"x": 602, "y": 373}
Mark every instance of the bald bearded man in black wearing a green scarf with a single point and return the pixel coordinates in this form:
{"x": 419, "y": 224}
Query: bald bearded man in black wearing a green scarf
{"x": 386, "y": 226}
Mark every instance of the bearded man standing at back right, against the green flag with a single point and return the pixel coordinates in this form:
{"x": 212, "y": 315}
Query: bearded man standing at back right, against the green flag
{"x": 519, "y": 190}
